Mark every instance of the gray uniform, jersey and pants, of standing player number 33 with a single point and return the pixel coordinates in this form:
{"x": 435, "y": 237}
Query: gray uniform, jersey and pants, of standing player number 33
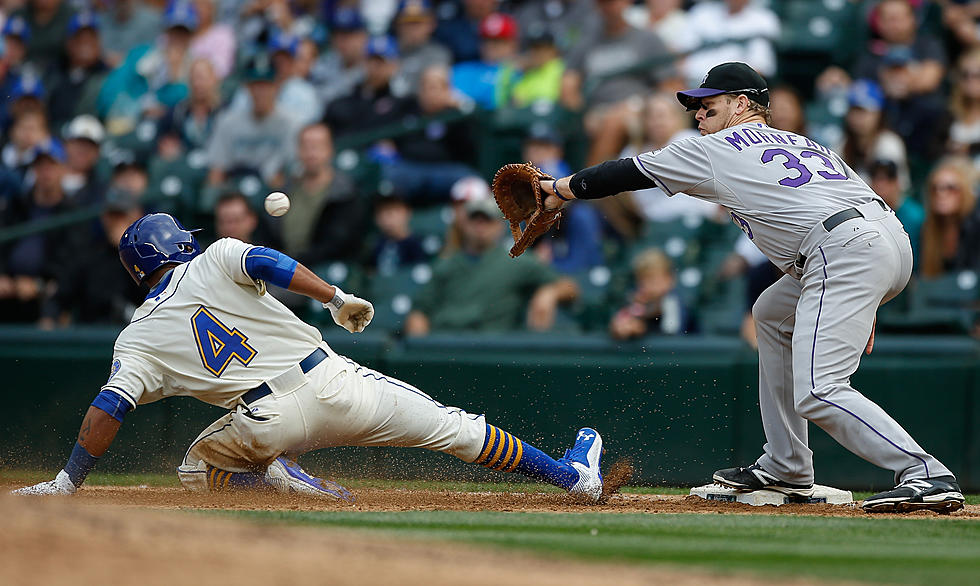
{"x": 814, "y": 323}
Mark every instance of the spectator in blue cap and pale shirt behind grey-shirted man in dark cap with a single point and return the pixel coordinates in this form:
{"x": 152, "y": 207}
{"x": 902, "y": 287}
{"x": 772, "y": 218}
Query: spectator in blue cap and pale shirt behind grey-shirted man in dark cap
{"x": 296, "y": 95}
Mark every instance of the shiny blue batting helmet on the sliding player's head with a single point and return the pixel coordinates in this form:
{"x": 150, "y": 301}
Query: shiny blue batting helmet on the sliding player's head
{"x": 153, "y": 241}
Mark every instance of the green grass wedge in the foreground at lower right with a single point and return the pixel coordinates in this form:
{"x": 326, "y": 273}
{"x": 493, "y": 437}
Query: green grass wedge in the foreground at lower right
{"x": 901, "y": 551}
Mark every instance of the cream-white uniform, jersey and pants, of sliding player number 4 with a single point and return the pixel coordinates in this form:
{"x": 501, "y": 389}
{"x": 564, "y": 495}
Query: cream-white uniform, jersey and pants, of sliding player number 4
{"x": 207, "y": 332}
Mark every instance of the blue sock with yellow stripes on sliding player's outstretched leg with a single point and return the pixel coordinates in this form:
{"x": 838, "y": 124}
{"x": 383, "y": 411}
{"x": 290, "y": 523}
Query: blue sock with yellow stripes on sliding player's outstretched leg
{"x": 506, "y": 453}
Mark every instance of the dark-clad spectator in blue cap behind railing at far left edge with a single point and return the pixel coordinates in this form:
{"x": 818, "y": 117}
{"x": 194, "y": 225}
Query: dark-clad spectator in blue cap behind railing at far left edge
{"x": 29, "y": 266}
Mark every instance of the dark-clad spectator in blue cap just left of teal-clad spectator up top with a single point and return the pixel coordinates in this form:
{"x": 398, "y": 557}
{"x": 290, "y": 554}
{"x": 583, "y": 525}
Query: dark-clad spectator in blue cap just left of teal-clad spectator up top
{"x": 76, "y": 84}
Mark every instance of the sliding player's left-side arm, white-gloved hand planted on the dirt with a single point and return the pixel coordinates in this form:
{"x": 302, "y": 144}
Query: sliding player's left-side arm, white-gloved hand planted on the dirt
{"x": 98, "y": 430}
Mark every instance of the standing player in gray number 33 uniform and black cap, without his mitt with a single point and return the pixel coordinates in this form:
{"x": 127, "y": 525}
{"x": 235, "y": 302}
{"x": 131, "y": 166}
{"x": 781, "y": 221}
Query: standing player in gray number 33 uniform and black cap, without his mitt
{"x": 844, "y": 253}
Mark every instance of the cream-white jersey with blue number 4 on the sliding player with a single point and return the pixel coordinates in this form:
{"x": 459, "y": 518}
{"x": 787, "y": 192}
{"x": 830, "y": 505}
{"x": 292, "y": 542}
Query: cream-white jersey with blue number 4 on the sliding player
{"x": 208, "y": 333}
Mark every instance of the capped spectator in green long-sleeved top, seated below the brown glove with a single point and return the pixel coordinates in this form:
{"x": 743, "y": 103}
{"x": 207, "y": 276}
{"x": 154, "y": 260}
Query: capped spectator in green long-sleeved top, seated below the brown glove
{"x": 482, "y": 288}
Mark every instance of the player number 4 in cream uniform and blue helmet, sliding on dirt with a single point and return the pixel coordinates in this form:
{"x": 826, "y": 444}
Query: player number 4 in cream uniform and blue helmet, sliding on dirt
{"x": 207, "y": 330}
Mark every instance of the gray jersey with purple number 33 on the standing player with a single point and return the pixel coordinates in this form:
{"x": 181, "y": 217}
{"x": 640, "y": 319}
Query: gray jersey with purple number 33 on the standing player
{"x": 755, "y": 171}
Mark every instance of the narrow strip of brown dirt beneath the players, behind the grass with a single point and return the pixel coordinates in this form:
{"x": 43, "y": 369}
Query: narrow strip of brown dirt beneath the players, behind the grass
{"x": 376, "y": 499}
